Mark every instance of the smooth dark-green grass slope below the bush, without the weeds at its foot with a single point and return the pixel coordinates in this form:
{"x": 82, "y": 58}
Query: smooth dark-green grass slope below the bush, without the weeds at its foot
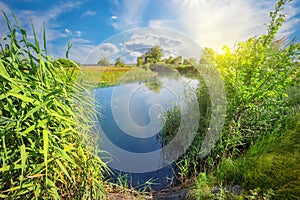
{"x": 271, "y": 163}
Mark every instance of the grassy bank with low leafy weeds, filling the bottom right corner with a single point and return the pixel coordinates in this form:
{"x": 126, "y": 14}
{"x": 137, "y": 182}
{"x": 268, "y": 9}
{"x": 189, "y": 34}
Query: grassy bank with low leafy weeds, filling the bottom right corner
{"x": 269, "y": 170}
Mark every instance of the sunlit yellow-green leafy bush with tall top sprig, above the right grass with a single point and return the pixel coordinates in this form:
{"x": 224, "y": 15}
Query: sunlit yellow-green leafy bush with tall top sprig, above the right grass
{"x": 256, "y": 76}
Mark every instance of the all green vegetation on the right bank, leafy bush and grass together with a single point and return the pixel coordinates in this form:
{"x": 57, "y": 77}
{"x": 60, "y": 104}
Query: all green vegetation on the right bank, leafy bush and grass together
{"x": 259, "y": 75}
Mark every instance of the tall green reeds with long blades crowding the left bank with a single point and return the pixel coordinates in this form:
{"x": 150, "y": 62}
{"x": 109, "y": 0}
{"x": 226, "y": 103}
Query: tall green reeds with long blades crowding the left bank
{"x": 44, "y": 123}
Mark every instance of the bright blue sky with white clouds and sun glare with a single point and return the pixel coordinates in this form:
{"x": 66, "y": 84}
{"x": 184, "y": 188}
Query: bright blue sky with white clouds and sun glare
{"x": 90, "y": 23}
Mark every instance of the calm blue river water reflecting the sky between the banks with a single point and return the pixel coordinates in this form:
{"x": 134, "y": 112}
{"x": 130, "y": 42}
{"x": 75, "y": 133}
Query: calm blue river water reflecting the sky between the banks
{"x": 131, "y": 121}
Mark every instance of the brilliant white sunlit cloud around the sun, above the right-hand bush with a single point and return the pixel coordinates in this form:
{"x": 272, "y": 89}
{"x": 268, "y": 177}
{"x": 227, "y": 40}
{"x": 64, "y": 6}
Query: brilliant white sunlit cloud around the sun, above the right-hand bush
{"x": 215, "y": 23}
